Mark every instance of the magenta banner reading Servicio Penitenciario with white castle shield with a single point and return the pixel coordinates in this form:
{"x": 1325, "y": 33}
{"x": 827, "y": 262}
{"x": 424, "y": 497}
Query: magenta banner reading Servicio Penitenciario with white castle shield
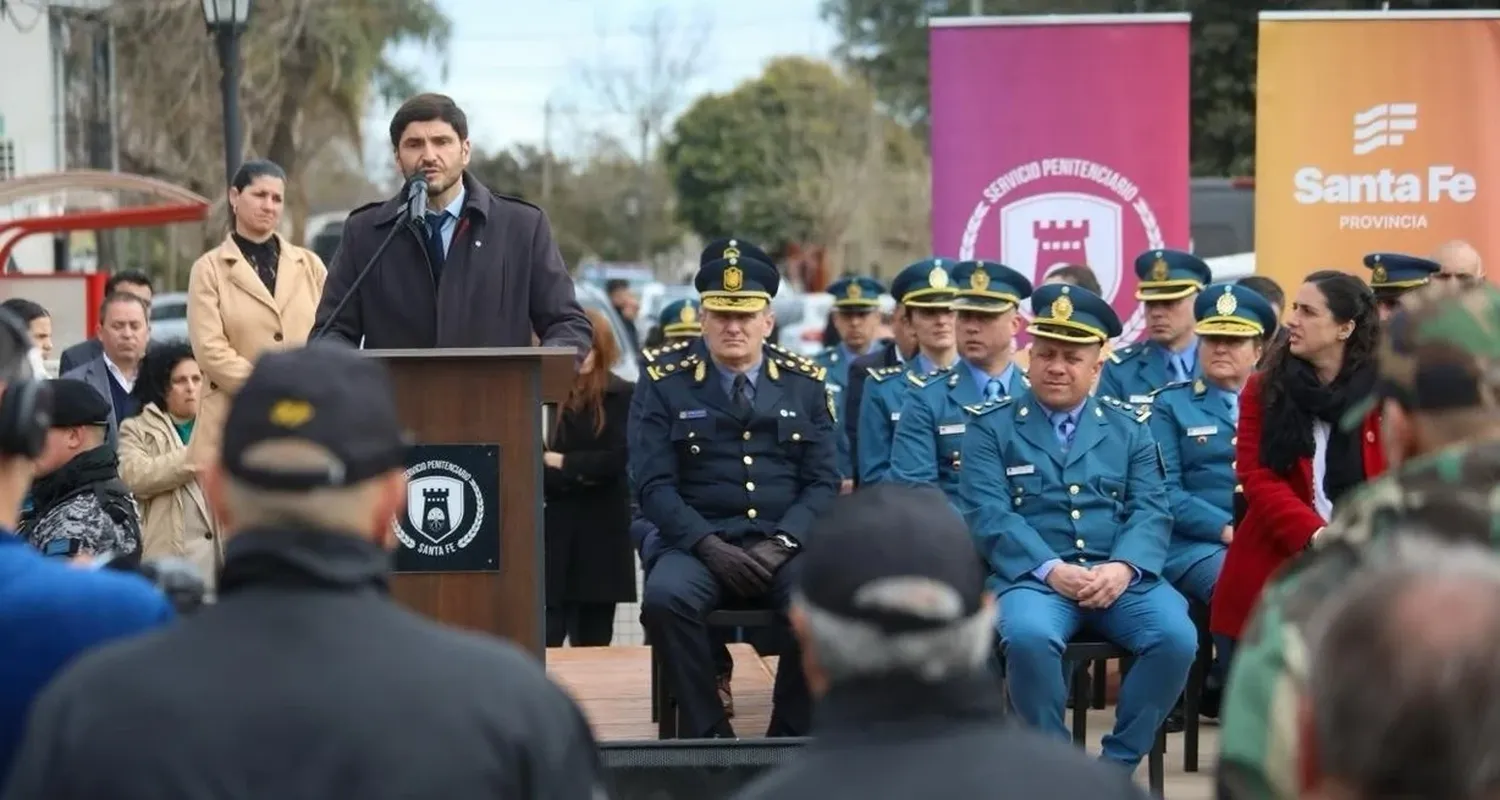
{"x": 1063, "y": 140}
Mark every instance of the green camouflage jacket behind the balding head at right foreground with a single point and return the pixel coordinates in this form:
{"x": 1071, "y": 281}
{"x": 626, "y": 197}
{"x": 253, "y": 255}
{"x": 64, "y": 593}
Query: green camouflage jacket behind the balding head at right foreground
{"x": 1454, "y": 493}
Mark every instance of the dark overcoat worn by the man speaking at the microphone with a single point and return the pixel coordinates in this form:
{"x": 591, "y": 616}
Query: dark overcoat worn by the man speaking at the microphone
{"x": 502, "y": 283}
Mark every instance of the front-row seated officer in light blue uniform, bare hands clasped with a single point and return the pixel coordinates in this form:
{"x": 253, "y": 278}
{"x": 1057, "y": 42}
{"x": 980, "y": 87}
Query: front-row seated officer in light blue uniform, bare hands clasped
{"x": 1066, "y": 499}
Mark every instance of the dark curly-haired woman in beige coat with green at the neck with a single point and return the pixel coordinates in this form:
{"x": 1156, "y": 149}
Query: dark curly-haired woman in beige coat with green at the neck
{"x": 155, "y": 465}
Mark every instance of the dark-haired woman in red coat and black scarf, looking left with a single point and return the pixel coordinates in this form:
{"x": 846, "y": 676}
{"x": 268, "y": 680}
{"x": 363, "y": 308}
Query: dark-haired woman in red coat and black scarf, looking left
{"x": 1292, "y": 460}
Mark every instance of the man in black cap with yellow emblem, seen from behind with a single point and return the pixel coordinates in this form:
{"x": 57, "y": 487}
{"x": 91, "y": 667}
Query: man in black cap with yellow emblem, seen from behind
{"x": 305, "y": 679}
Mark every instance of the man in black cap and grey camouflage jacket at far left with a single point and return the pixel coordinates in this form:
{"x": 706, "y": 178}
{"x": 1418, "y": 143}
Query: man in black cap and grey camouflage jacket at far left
{"x": 79, "y": 496}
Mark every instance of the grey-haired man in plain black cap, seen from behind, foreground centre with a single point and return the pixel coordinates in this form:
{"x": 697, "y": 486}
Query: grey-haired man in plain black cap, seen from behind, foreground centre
{"x": 896, "y": 633}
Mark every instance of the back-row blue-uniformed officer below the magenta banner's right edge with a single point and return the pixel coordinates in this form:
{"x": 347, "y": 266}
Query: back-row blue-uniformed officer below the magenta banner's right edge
{"x": 1169, "y": 283}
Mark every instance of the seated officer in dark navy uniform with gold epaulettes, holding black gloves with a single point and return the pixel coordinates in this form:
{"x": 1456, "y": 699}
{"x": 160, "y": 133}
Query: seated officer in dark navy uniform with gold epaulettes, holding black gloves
{"x": 734, "y": 457}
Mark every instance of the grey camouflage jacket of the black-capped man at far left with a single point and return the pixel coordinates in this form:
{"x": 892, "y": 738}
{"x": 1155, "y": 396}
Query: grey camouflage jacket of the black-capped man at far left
{"x": 103, "y": 519}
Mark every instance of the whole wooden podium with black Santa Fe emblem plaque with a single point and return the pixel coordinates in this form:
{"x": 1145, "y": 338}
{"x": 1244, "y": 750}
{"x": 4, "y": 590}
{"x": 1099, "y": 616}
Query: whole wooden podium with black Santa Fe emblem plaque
{"x": 476, "y": 418}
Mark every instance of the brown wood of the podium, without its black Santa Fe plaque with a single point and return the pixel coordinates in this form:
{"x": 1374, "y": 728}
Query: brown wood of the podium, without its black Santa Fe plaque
{"x": 485, "y": 397}
